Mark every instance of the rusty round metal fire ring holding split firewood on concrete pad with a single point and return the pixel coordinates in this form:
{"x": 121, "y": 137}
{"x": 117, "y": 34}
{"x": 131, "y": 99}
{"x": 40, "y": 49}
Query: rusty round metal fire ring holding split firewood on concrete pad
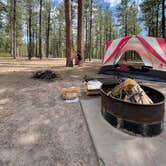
{"x": 135, "y": 119}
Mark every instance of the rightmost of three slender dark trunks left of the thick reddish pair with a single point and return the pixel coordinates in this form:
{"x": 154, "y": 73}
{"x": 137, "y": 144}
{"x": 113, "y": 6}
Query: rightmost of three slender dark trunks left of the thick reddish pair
{"x": 48, "y": 32}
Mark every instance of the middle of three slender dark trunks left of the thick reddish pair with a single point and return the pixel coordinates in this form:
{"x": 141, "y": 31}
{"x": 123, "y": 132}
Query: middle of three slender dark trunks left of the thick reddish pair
{"x": 40, "y": 30}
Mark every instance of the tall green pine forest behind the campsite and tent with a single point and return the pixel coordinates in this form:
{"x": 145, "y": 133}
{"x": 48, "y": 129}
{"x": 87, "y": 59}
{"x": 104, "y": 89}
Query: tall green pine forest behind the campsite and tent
{"x": 40, "y": 28}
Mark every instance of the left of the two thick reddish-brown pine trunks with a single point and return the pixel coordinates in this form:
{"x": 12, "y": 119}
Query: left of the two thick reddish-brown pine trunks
{"x": 69, "y": 59}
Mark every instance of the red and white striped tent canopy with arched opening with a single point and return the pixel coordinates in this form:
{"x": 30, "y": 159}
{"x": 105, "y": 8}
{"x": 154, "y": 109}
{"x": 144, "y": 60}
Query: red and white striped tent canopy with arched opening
{"x": 151, "y": 50}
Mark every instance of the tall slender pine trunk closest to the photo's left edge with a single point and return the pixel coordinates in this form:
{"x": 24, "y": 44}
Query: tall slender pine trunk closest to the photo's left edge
{"x": 14, "y": 29}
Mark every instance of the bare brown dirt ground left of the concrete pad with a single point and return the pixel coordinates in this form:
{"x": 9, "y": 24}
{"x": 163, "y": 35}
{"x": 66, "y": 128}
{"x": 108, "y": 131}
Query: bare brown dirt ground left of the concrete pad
{"x": 38, "y": 128}
